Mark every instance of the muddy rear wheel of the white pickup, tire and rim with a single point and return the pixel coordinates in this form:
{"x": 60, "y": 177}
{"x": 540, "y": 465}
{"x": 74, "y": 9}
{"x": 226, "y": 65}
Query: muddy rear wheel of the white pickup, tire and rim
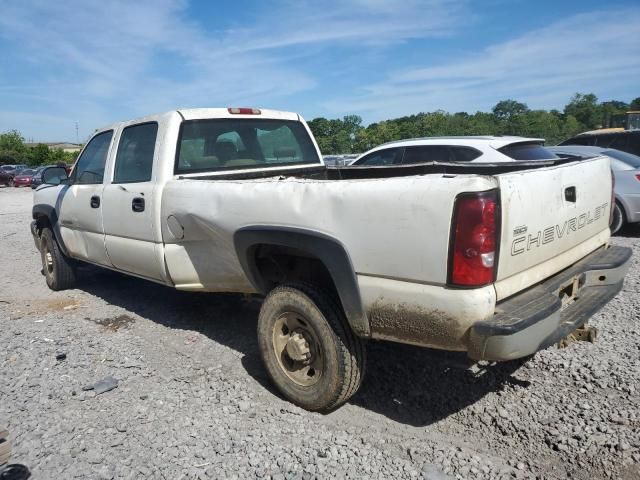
{"x": 310, "y": 352}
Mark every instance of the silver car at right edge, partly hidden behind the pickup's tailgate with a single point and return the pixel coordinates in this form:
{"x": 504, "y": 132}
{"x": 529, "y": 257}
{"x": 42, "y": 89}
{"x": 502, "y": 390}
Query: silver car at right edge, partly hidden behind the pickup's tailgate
{"x": 626, "y": 168}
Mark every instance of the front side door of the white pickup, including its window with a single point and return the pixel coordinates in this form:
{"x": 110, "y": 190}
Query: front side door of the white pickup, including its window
{"x": 80, "y": 209}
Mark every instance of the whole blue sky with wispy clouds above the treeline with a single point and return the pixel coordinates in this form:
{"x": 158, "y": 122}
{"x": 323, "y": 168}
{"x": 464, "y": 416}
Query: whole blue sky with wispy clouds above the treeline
{"x": 96, "y": 62}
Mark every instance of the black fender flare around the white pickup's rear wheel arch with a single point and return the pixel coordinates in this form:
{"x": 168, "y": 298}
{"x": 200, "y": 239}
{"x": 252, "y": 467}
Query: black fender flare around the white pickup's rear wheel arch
{"x": 329, "y": 251}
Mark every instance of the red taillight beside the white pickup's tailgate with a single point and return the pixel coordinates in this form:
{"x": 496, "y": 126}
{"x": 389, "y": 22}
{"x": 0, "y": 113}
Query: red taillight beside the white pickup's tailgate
{"x": 474, "y": 239}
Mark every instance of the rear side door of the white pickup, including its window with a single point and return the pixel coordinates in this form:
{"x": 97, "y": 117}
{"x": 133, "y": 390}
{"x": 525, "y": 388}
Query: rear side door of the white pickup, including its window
{"x": 129, "y": 221}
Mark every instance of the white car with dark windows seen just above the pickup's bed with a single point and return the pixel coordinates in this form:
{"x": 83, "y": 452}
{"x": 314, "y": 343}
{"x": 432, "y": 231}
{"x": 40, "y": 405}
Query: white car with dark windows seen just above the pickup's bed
{"x": 455, "y": 149}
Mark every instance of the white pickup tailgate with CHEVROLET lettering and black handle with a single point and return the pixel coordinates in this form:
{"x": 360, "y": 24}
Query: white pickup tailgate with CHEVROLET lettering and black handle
{"x": 551, "y": 217}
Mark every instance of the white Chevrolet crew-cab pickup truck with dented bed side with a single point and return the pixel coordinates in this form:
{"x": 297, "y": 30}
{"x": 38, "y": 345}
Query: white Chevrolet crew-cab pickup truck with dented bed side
{"x": 498, "y": 260}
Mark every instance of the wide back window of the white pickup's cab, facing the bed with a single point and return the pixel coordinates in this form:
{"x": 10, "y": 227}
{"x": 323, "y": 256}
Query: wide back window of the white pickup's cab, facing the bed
{"x": 230, "y": 144}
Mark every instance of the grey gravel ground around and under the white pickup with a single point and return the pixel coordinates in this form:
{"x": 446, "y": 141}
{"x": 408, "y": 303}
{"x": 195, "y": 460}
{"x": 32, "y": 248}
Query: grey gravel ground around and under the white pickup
{"x": 193, "y": 400}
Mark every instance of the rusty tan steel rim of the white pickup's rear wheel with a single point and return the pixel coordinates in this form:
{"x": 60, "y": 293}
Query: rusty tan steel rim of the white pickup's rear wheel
{"x": 297, "y": 349}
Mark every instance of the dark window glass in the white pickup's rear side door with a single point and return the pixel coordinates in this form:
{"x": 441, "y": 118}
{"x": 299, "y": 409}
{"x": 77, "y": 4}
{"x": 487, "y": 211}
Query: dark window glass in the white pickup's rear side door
{"x": 134, "y": 160}
